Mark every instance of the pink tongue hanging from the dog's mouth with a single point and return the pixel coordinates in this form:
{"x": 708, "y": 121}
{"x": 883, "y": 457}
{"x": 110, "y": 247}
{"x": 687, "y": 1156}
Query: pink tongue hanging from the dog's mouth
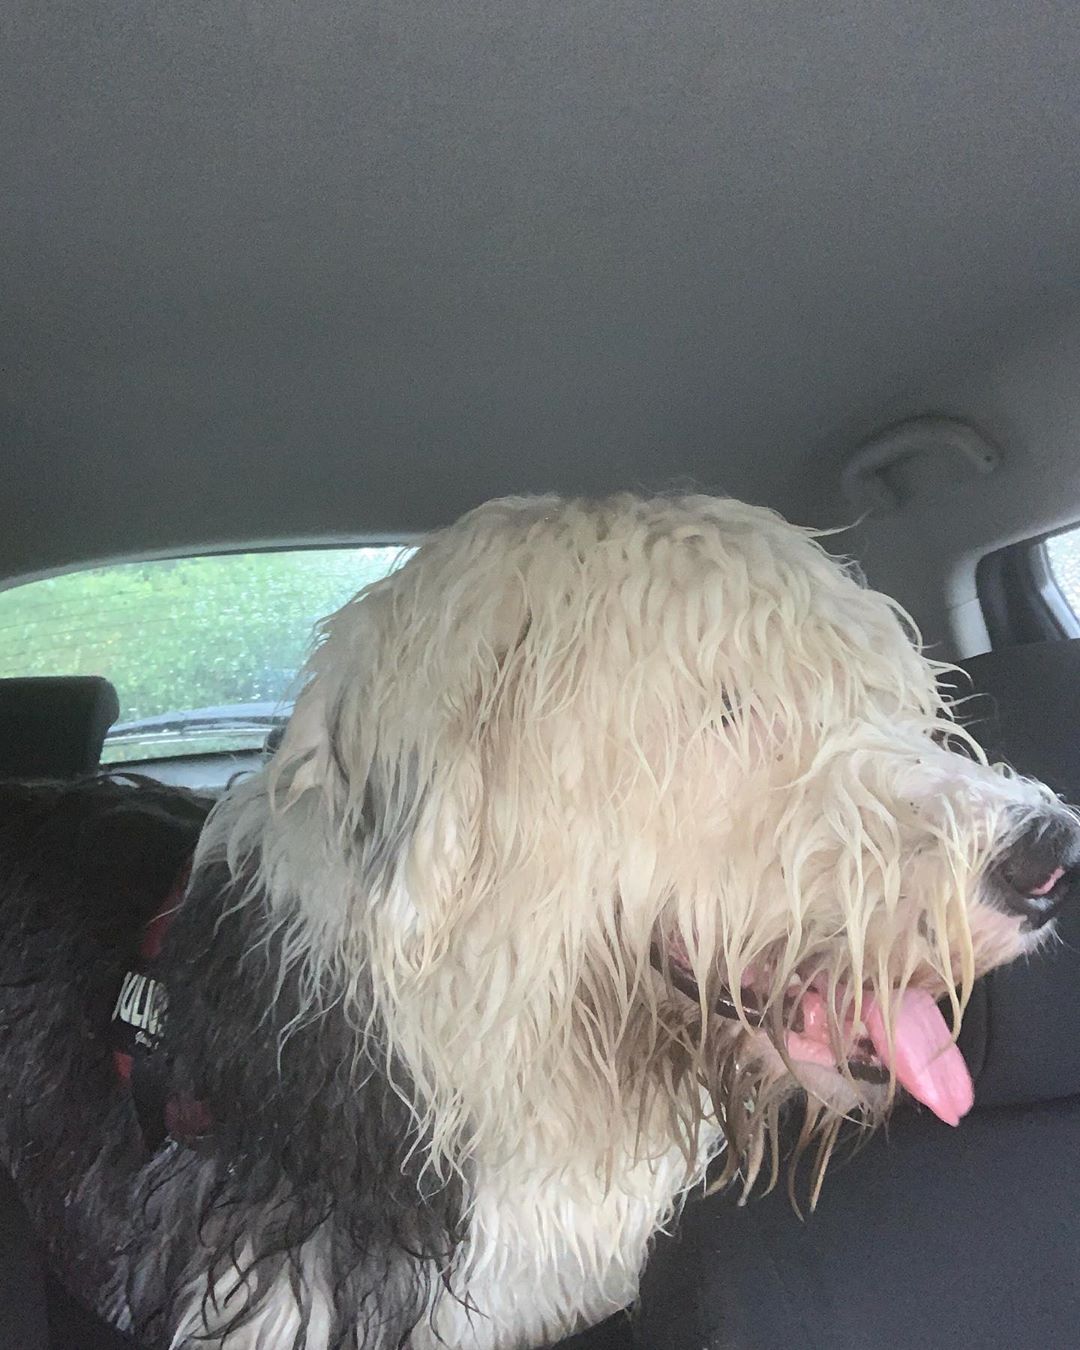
{"x": 924, "y": 1056}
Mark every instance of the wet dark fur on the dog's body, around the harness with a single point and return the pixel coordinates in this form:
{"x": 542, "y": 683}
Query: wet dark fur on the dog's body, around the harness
{"x": 83, "y": 869}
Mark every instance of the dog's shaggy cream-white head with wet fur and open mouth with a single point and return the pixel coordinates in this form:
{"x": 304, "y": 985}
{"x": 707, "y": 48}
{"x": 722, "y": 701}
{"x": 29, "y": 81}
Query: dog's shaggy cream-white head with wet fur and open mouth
{"x": 616, "y": 816}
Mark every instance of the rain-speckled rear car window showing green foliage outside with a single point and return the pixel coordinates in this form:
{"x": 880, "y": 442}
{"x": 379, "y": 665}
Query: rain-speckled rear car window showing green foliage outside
{"x": 203, "y": 651}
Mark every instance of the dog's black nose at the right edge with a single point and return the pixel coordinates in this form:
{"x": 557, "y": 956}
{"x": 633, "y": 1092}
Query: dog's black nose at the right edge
{"x": 1040, "y": 871}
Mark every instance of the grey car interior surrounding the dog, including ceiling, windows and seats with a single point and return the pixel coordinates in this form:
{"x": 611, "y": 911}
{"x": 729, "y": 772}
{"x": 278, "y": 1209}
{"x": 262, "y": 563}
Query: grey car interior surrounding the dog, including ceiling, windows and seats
{"x": 288, "y": 287}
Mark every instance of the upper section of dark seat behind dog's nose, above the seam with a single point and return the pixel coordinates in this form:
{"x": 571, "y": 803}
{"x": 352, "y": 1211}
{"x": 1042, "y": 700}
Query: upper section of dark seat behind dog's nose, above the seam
{"x": 1021, "y": 1032}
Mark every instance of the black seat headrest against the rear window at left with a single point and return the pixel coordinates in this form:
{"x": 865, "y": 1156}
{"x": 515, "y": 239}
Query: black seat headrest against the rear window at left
{"x": 55, "y": 727}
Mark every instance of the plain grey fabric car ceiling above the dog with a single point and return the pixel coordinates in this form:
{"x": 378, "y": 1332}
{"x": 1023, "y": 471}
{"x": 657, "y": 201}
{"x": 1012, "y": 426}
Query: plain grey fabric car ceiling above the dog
{"x": 280, "y": 271}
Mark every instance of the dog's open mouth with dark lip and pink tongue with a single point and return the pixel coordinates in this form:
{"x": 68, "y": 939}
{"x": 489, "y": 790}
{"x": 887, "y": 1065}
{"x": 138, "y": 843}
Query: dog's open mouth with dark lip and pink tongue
{"x": 920, "y": 1052}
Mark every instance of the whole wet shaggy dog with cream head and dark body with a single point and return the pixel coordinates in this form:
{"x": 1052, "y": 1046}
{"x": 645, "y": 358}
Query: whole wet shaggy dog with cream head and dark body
{"x": 603, "y": 836}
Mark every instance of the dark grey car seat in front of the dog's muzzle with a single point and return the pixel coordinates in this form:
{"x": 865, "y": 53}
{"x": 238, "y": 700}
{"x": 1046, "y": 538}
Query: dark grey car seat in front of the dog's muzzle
{"x": 929, "y": 1237}
